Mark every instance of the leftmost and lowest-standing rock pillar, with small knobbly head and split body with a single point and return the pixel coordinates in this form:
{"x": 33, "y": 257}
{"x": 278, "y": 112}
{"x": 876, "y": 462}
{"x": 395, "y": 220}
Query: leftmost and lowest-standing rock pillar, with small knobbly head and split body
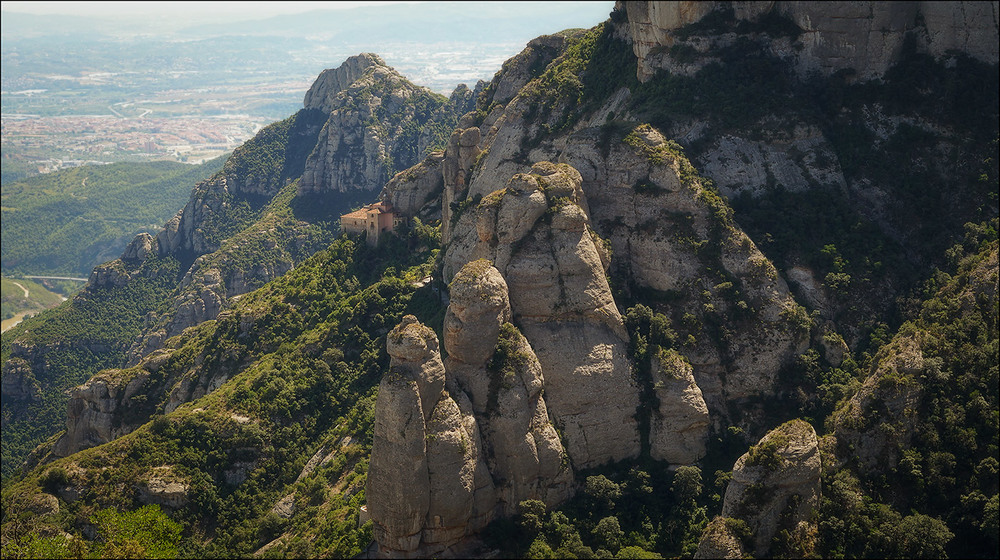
{"x": 428, "y": 485}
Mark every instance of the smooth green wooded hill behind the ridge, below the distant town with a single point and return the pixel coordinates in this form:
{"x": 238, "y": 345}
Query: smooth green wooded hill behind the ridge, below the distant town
{"x": 67, "y": 222}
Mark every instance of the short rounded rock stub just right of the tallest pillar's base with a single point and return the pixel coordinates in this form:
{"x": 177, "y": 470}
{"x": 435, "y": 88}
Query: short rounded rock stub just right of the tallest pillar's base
{"x": 678, "y": 430}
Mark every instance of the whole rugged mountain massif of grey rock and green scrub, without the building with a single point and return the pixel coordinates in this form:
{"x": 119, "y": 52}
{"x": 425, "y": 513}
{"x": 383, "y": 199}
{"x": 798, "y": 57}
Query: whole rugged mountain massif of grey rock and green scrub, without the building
{"x": 704, "y": 280}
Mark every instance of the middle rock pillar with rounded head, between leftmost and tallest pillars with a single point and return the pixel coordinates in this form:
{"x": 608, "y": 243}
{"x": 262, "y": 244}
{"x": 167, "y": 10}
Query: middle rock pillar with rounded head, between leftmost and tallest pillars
{"x": 497, "y": 368}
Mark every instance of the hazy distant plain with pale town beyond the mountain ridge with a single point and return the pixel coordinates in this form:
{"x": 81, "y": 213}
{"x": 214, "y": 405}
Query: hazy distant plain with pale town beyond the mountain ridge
{"x": 53, "y": 121}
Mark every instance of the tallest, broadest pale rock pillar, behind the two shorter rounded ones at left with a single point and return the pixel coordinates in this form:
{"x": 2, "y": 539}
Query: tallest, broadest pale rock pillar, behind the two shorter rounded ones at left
{"x": 537, "y": 235}
